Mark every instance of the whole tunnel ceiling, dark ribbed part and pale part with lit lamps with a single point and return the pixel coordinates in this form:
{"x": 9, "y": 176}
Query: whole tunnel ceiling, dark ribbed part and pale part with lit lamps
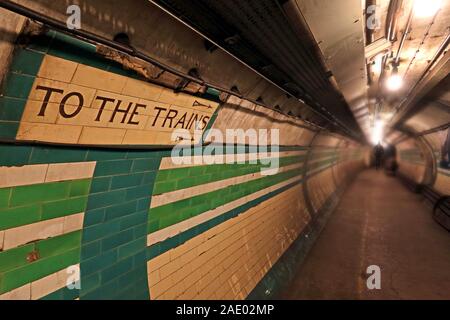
{"x": 359, "y": 65}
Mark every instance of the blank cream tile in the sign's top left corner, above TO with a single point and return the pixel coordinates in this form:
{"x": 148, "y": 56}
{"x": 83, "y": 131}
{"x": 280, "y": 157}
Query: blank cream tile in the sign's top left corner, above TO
{"x": 57, "y": 69}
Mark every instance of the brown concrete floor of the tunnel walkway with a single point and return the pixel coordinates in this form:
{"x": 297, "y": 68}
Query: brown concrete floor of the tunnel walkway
{"x": 378, "y": 222}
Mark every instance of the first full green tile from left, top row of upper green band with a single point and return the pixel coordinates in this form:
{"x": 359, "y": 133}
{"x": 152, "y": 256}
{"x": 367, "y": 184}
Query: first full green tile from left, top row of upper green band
{"x": 39, "y": 193}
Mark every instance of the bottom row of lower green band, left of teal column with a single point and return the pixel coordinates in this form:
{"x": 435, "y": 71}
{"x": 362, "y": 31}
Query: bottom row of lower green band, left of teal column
{"x": 37, "y": 270}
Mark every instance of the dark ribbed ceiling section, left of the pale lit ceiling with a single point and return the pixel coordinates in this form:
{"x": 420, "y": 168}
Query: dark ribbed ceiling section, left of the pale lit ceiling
{"x": 260, "y": 34}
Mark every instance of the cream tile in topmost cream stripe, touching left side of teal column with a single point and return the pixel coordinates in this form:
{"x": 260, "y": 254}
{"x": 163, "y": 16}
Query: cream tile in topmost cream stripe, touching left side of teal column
{"x": 70, "y": 171}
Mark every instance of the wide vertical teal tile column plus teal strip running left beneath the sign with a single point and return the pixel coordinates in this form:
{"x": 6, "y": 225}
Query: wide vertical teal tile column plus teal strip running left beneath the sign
{"x": 113, "y": 244}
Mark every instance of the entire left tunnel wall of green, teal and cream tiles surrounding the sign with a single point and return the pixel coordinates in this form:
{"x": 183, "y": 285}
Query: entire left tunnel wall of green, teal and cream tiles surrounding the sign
{"x": 134, "y": 225}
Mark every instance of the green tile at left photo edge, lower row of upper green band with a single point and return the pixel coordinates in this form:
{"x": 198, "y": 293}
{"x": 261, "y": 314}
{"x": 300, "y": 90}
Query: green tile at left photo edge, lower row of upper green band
{"x": 15, "y": 217}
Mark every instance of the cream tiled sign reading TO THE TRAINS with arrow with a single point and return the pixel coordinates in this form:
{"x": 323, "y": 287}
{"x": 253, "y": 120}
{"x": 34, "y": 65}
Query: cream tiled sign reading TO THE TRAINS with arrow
{"x": 77, "y": 104}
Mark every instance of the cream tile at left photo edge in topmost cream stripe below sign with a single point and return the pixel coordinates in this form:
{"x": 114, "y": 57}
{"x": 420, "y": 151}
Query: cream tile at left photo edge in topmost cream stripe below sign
{"x": 20, "y": 176}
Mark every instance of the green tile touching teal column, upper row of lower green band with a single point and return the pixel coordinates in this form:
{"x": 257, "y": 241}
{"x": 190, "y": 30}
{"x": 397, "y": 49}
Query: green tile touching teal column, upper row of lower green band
{"x": 59, "y": 245}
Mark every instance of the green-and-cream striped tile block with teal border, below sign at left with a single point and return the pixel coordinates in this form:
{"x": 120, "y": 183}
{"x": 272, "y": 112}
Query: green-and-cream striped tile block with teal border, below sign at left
{"x": 74, "y": 206}
